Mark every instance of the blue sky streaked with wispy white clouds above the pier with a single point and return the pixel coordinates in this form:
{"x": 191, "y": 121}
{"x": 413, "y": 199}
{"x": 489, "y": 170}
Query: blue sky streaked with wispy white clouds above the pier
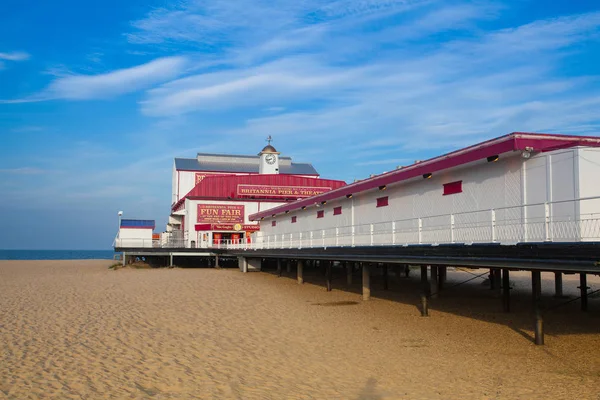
{"x": 97, "y": 98}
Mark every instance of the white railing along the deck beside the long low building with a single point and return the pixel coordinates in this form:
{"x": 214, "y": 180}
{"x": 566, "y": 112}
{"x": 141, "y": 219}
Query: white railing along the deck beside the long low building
{"x": 559, "y": 221}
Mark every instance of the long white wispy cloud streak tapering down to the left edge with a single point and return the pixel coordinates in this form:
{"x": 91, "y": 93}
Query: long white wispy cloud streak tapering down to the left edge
{"x": 85, "y": 87}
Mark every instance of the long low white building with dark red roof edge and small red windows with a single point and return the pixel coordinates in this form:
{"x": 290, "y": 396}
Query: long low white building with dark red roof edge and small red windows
{"x": 517, "y": 188}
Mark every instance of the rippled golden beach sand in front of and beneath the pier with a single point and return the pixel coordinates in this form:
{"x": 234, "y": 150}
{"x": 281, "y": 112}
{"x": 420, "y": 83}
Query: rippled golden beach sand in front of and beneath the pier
{"x": 75, "y": 329}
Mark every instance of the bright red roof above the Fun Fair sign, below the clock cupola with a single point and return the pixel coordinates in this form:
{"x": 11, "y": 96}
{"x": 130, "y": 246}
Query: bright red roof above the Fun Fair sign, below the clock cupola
{"x": 222, "y": 187}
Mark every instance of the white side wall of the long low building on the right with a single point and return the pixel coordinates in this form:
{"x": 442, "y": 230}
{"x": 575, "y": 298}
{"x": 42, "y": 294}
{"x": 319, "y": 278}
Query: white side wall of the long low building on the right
{"x": 503, "y": 186}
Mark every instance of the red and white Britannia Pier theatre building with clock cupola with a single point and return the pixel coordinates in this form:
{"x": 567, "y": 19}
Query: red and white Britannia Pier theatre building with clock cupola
{"x": 214, "y": 195}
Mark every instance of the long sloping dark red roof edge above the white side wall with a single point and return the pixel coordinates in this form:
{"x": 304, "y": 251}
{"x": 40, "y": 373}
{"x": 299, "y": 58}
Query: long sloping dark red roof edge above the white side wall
{"x": 536, "y": 142}
